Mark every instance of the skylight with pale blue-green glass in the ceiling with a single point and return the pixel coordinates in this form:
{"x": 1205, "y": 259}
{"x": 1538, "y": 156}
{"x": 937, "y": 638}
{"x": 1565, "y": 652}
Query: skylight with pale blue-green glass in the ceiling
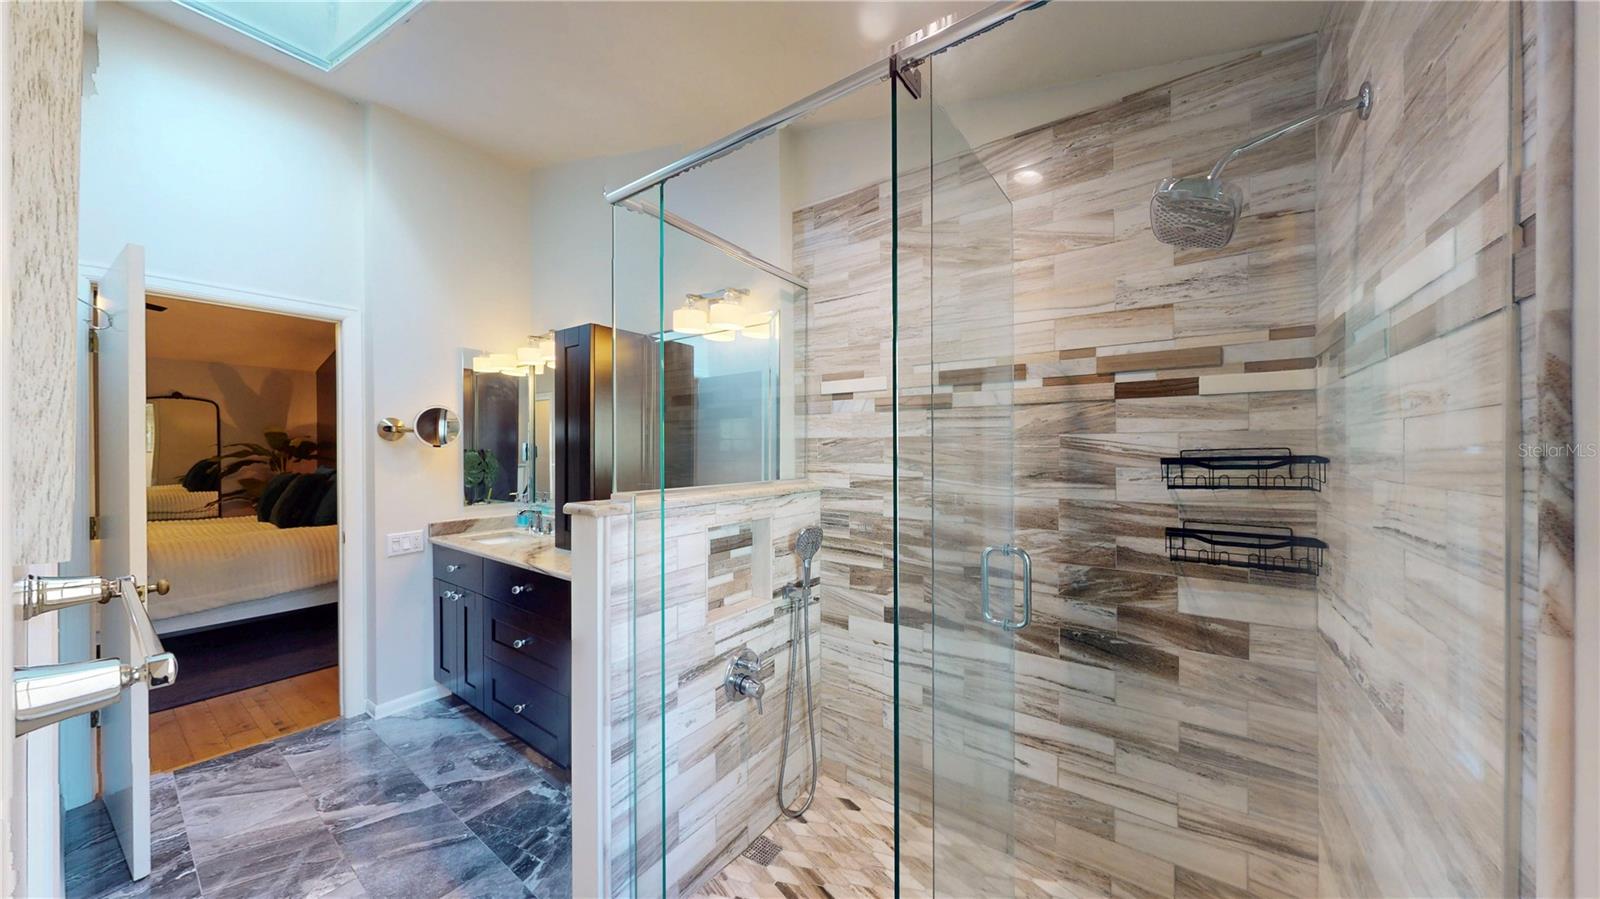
{"x": 322, "y": 33}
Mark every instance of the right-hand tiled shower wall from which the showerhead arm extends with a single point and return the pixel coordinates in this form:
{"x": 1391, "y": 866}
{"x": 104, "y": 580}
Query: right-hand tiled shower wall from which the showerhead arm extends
{"x": 1415, "y": 366}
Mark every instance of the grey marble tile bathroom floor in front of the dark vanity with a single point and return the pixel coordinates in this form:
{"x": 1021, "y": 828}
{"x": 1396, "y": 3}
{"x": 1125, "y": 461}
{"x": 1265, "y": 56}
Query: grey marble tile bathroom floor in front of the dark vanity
{"x": 431, "y": 802}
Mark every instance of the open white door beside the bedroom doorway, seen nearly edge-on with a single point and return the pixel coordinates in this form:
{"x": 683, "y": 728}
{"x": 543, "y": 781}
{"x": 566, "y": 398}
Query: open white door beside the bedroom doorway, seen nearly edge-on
{"x": 119, "y": 438}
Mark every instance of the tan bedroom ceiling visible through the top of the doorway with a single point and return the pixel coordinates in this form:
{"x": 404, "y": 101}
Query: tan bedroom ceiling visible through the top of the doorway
{"x": 201, "y": 332}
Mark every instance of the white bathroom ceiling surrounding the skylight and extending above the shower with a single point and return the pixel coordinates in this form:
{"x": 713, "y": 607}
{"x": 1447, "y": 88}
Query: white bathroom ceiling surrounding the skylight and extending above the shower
{"x": 545, "y": 82}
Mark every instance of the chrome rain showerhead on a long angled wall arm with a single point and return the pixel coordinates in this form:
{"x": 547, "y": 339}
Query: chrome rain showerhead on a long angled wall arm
{"x": 1201, "y": 212}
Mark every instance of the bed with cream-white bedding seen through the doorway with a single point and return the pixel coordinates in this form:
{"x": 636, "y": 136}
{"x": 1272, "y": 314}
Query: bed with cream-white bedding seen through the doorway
{"x": 236, "y": 569}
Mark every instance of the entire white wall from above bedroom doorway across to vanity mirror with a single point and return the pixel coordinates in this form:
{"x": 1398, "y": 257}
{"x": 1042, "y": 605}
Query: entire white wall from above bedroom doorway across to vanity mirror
{"x": 241, "y": 180}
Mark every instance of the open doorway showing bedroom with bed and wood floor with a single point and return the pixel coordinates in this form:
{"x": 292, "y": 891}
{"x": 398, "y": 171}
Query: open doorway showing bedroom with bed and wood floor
{"x": 242, "y": 524}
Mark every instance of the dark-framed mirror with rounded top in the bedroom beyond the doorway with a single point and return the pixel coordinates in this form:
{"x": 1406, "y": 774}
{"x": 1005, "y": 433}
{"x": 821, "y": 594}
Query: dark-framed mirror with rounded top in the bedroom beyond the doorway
{"x": 183, "y": 449}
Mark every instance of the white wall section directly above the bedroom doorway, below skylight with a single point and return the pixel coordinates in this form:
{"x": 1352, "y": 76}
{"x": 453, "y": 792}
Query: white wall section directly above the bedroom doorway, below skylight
{"x": 226, "y": 170}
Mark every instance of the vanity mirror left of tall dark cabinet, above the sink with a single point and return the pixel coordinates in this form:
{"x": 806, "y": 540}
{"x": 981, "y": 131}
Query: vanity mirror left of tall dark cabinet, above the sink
{"x": 506, "y": 430}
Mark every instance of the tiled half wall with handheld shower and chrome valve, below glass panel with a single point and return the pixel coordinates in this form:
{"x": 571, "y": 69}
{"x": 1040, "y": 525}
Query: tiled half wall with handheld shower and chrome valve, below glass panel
{"x": 724, "y": 557}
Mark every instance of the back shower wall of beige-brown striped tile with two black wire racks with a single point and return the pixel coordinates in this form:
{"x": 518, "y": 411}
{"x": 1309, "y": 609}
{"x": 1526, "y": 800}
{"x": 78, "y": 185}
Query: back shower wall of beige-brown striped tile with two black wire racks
{"x": 1166, "y": 716}
